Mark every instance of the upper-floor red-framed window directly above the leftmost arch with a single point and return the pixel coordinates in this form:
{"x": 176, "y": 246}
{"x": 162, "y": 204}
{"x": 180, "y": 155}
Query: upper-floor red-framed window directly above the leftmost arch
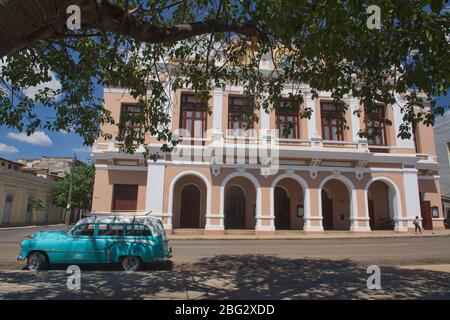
{"x": 193, "y": 110}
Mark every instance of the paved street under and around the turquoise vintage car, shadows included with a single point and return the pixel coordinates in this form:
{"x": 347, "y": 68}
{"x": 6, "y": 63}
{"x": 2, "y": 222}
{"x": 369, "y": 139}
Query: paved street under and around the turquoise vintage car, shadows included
{"x": 279, "y": 269}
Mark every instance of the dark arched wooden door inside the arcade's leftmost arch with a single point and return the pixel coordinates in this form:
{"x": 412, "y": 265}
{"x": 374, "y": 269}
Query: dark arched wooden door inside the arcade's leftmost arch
{"x": 190, "y": 207}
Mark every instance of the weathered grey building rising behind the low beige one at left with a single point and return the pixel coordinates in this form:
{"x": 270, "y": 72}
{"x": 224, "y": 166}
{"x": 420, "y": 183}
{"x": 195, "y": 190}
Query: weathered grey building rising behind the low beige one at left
{"x": 53, "y": 166}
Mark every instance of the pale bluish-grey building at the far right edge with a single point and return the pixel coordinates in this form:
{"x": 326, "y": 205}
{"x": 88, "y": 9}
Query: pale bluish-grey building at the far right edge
{"x": 442, "y": 134}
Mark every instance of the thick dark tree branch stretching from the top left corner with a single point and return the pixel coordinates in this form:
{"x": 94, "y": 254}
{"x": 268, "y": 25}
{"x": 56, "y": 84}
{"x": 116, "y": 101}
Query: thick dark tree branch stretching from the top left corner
{"x": 46, "y": 20}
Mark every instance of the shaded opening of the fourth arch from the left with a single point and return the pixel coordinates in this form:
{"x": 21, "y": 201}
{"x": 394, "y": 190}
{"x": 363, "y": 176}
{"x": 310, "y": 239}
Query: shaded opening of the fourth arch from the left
{"x": 335, "y": 205}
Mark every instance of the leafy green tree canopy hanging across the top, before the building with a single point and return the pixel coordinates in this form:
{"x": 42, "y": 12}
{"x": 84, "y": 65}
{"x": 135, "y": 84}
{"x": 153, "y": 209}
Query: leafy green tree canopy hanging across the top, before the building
{"x": 203, "y": 44}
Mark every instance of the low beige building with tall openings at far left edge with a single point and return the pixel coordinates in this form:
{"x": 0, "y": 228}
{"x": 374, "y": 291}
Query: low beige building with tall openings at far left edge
{"x": 18, "y": 187}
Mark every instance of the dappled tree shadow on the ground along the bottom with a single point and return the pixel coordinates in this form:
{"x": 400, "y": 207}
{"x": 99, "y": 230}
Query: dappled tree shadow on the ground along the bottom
{"x": 233, "y": 277}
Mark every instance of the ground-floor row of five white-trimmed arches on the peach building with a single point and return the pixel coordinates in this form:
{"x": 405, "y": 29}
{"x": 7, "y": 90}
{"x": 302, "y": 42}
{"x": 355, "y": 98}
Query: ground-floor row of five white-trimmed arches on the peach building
{"x": 289, "y": 209}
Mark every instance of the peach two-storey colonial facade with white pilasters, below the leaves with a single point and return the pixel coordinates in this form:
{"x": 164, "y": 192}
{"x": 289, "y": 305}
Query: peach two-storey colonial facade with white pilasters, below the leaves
{"x": 224, "y": 176}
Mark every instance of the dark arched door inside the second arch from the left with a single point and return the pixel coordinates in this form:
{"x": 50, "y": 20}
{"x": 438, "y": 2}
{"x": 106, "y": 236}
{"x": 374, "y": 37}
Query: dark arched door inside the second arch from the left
{"x": 235, "y": 208}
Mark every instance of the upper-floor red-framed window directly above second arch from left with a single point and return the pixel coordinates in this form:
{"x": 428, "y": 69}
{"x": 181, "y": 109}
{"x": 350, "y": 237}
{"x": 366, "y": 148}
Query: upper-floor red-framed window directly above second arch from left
{"x": 236, "y": 110}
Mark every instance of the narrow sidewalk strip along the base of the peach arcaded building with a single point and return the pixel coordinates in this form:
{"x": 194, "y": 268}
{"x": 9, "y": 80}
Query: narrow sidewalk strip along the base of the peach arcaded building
{"x": 297, "y": 234}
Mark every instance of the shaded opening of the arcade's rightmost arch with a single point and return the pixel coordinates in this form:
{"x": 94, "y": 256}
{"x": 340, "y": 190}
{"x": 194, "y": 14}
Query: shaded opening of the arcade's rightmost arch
{"x": 380, "y": 206}
